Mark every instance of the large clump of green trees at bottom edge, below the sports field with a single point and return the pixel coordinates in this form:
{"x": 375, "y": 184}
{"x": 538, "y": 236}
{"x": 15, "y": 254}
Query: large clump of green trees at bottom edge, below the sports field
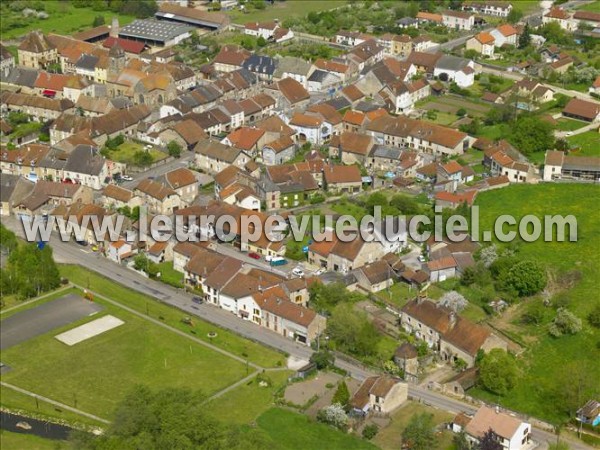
{"x": 174, "y": 418}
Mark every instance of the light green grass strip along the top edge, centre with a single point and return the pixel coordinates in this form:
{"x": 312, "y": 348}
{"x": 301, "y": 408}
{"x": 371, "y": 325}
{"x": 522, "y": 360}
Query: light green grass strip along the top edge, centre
{"x": 283, "y": 10}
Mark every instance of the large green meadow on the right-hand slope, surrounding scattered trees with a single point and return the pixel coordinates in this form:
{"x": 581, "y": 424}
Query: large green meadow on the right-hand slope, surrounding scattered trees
{"x": 548, "y": 356}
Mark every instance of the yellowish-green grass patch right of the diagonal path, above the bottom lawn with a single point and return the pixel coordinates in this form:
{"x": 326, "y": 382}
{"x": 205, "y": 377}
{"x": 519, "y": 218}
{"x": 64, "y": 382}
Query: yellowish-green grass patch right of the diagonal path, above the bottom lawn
{"x": 245, "y": 403}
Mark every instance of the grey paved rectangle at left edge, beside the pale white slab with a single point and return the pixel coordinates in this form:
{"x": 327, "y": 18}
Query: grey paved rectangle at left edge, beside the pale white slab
{"x": 25, "y": 325}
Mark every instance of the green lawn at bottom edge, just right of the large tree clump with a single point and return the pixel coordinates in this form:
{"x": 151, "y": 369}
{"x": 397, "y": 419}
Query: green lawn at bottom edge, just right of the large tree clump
{"x": 290, "y": 430}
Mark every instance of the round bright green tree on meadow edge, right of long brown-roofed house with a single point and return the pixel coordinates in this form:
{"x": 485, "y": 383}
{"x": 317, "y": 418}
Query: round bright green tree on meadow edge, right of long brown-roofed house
{"x": 498, "y": 371}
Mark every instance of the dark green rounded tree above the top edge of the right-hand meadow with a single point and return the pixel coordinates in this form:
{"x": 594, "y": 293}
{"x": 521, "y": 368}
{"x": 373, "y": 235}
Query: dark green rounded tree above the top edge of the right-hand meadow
{"x": 530, "y": 134}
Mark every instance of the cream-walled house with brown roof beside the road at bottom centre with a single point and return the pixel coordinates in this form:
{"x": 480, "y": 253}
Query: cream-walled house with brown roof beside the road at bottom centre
{"x": 380, "y": 395}
